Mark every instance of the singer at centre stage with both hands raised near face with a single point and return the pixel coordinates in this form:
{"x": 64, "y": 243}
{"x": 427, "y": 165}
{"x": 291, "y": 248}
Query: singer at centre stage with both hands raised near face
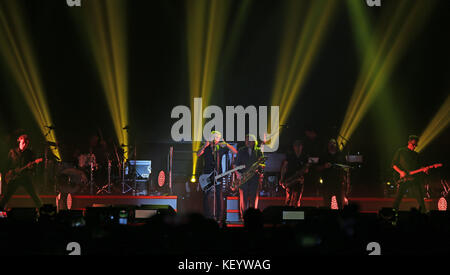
{"x": 212, "y": 152}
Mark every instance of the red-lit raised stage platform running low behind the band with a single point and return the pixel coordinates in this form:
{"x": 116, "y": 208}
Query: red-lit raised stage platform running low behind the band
{"x": 366, "y": 204}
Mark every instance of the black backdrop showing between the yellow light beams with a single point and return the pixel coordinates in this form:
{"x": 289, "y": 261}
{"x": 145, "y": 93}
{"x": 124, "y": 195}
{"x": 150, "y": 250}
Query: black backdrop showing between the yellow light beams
{"x": 158, "y": 81}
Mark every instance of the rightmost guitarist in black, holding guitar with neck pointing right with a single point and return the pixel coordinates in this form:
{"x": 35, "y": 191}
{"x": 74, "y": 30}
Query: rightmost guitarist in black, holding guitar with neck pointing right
{"x": 404, "y": 161}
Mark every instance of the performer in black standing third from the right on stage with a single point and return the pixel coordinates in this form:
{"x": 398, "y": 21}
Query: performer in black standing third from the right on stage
{"x": 292, "y": 177}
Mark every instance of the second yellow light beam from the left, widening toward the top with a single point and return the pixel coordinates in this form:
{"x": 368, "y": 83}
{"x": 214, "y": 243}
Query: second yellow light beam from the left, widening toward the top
{"x": 105, "y": 23}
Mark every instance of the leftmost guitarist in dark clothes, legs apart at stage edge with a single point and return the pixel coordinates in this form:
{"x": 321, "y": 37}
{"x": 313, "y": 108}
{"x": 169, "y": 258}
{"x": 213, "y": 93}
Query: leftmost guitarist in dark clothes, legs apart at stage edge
{"x": 18, "y": 158}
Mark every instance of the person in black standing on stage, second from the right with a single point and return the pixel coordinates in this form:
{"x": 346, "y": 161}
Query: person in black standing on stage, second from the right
{"x": 332, "y": 175}
